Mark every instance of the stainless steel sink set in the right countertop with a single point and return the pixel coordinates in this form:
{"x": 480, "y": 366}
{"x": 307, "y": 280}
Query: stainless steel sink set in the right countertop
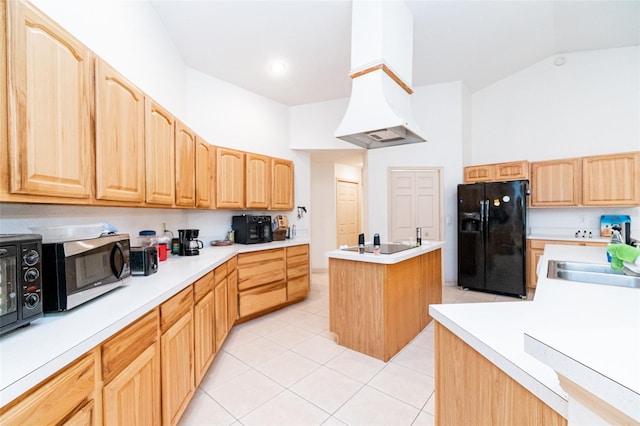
{"x": 595, "y": 273}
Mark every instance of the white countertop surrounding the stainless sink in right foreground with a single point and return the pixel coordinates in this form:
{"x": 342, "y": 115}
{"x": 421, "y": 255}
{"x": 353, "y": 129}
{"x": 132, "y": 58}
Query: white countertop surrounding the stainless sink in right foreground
{"x": 561, "y": 317}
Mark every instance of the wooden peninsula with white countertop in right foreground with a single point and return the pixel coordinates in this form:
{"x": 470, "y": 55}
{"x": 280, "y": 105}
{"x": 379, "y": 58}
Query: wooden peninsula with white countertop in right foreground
{"x": 497, "y": 363}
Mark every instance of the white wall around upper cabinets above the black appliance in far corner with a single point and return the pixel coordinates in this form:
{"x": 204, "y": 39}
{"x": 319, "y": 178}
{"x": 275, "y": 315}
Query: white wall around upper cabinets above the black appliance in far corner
{"x": 226, "y": 115}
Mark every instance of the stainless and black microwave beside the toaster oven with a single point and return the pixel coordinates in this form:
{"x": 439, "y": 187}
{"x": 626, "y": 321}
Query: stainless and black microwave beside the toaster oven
{"x": 75, "y": 272}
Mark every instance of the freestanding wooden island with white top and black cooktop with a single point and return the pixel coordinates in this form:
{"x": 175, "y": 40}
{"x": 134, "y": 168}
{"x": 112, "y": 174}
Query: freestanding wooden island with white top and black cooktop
{"x": 379, "y": 303}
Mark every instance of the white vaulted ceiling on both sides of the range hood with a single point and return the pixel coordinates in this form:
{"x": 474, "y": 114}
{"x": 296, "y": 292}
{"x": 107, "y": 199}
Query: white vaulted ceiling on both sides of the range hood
{"x": 475, "y": 41}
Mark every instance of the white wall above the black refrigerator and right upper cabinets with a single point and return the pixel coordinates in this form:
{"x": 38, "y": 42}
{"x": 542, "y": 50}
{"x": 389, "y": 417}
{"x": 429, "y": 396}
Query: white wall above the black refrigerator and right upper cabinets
{"x": 588, "y": 106}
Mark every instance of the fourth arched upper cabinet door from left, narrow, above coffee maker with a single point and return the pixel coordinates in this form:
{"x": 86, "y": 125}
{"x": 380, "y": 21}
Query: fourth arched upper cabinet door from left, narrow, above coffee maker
{"x": 185, "y": 166}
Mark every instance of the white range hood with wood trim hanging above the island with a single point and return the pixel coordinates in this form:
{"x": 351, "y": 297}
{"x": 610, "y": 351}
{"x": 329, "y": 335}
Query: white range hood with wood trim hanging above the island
{"x": 379, "y": 113}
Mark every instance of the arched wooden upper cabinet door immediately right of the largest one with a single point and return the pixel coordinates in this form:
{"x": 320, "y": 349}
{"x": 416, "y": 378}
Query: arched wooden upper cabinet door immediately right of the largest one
{"x": 119, "y": 137}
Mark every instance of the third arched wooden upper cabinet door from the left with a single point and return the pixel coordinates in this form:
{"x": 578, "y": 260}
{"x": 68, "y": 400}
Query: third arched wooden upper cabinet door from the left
{"x": 159, "y": 154}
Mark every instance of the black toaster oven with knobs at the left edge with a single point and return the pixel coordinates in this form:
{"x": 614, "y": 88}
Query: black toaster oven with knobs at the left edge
{"x": 20, "y": 280}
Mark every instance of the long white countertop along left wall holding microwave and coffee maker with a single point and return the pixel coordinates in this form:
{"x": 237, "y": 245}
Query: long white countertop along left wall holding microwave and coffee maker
{"x": 31, "y": 354}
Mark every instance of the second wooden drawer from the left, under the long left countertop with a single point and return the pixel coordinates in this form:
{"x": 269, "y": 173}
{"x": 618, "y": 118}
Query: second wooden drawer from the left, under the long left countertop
{"x": 120, "y": 351}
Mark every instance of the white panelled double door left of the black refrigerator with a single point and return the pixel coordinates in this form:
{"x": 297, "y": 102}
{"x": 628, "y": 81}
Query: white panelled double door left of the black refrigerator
{"x": 415, "y": 201}
